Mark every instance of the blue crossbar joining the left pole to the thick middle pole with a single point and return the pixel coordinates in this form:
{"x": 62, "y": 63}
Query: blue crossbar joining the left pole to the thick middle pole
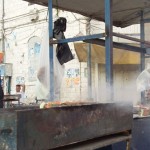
{"x": 80, "y": 38}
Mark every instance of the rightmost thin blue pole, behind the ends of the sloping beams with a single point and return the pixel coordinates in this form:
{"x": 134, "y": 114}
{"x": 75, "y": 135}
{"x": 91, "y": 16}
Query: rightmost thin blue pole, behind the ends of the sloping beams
{"x": 142, "y": 35}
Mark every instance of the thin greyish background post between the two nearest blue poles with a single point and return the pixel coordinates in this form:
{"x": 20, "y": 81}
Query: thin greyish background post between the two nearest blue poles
{"x": 89, "y": 62}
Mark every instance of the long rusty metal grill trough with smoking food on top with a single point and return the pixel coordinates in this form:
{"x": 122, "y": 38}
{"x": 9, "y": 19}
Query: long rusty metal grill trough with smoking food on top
{"x": 42, "y": 129}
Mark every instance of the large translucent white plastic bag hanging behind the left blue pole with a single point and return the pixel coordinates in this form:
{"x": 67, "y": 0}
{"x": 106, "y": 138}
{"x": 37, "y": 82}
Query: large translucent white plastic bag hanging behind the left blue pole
{"x": 43, "y": 72}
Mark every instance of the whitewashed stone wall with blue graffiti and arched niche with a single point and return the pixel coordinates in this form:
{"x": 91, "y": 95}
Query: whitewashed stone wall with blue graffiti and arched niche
{"x": 21, "y": 34}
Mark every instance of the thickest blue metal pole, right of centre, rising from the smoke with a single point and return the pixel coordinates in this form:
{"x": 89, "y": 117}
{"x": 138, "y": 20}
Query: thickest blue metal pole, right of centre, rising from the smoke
{"x": 109, "y": 47}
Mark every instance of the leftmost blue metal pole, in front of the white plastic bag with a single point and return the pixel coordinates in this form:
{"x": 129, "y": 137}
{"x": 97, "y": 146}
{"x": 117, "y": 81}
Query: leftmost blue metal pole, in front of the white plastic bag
{"x": 51, "y": 59}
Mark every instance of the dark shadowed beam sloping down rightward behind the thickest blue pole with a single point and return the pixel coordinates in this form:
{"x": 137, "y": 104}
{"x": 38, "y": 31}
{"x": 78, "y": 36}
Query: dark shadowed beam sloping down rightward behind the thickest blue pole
{"x": 117, "y": 45}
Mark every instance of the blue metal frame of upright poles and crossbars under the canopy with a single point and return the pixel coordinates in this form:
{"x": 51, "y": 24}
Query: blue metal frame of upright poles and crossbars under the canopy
{"x": 108, "y": 43}
